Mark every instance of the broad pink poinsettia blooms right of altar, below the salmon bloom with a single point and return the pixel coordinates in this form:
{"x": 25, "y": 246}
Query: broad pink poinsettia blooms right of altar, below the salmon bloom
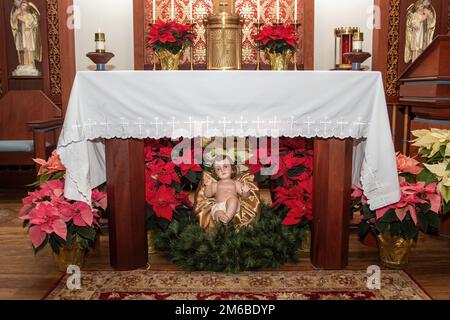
{"x": 411, "y": 196}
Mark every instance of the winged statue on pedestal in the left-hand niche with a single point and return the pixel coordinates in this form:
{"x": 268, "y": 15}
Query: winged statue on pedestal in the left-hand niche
{"x": 25, "y": 20}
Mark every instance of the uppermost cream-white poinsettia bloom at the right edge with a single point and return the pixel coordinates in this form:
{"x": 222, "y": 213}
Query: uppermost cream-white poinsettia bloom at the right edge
{"x": 432, "y": 140}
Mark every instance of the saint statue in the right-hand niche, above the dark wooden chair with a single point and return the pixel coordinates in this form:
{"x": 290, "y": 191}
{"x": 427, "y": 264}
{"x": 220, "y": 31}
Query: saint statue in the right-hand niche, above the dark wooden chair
{"x": 420, "y": 28}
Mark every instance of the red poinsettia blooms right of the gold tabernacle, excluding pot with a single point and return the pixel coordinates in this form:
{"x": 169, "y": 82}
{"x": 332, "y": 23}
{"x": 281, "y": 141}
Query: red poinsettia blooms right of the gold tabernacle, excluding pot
{"x": 277, "y": 38}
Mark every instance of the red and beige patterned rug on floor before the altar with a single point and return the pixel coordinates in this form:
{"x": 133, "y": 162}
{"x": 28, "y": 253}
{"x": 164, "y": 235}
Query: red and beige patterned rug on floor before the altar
{"x": 281, "y": 285}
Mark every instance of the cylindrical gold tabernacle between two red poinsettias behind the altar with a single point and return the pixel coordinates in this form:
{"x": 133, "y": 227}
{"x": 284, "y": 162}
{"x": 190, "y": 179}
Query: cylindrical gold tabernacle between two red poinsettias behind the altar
{"x": 223, "y": 40}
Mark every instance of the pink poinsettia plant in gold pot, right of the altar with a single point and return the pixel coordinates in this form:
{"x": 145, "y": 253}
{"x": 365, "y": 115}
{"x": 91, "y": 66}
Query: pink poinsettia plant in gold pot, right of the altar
{"x": 397, "y": 226}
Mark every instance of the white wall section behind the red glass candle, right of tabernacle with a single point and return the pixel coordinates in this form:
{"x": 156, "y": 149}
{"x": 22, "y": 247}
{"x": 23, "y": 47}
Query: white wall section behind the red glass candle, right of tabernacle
{"x": 331, "y": 14}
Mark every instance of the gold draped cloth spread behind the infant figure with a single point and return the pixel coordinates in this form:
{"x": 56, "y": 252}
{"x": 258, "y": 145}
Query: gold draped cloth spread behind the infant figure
{"x": 249, "y": 210}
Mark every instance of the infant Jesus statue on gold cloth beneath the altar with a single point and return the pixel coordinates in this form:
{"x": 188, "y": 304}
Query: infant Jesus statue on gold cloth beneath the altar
{"x": 224, "y": 196}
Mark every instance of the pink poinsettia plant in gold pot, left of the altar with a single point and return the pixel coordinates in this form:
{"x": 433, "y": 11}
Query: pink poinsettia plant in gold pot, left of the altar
{"x": 70, "y": 227}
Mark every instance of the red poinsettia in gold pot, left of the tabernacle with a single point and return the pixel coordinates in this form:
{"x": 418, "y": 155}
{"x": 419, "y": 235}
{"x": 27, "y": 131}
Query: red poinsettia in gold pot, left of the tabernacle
{"x": 168, "y": 40}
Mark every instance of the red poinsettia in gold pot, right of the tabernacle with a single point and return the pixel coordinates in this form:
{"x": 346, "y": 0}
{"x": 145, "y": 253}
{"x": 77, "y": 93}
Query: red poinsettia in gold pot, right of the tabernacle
{"x": 279, "y": 42}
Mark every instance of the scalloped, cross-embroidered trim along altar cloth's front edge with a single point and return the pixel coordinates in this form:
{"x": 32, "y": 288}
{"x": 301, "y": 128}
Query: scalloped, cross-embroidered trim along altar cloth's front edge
{"x": 159, "y": 128}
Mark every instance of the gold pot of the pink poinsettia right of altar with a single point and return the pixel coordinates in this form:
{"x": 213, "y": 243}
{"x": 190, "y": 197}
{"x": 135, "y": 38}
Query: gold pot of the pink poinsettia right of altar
{"x": 394, "y": 251}
